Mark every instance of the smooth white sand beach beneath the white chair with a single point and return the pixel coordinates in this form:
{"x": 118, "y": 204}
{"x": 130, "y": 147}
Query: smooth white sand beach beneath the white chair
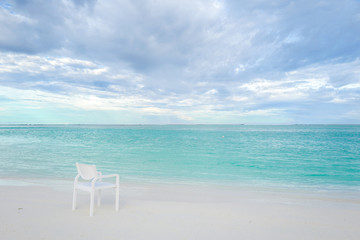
{"x": 153, "y": 211}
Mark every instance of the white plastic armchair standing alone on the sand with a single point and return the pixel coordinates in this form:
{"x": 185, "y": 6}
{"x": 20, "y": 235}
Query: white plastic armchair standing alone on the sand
{"x": 87, "y": 173}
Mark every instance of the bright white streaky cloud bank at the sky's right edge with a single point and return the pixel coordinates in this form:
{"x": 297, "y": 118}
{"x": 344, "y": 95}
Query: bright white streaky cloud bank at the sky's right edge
{"x": 315, "y": 83}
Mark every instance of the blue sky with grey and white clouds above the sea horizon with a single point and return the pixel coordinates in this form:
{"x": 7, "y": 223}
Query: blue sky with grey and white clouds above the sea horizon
{"x": 171, "y": 62}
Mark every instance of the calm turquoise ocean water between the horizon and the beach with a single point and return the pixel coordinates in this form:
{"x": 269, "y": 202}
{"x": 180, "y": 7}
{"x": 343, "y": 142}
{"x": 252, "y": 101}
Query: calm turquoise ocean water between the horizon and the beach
{"x": 304, "y": 156}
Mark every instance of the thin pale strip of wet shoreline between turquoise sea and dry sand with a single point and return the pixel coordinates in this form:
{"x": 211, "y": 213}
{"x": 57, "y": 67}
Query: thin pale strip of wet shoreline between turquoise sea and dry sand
{"x": 66, "y": 183}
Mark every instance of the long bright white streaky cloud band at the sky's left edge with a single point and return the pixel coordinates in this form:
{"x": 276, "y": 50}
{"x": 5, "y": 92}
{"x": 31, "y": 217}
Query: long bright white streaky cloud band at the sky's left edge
{"x": 63, "y": 69}
